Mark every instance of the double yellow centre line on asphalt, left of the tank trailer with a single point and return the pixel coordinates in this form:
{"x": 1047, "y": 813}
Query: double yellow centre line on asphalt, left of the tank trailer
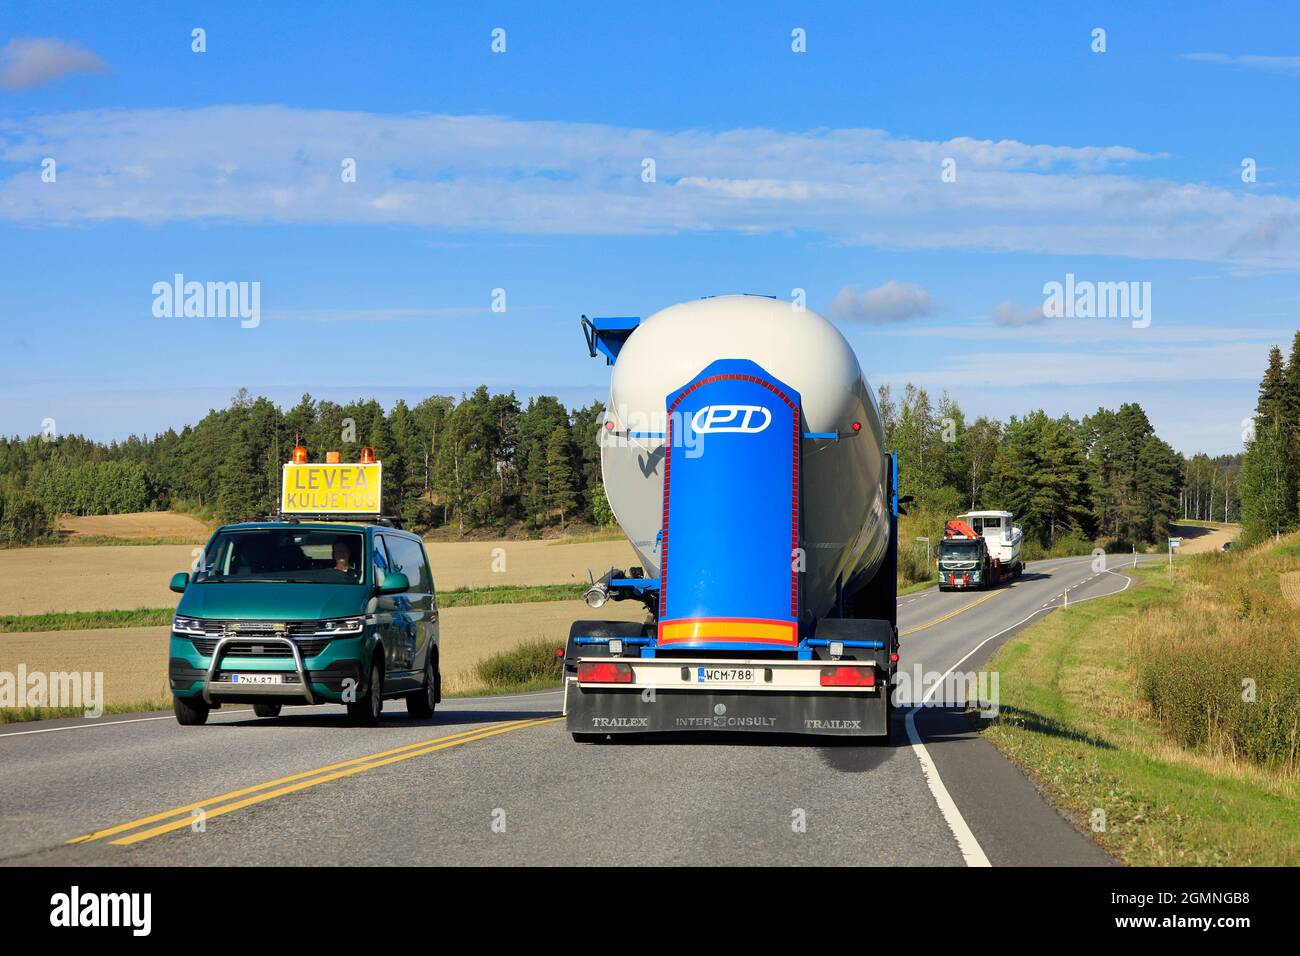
{"x": 183, "y": 817}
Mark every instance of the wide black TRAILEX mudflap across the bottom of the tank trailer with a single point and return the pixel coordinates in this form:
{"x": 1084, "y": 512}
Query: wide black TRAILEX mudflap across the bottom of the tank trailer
{"x": 612, "y": 711}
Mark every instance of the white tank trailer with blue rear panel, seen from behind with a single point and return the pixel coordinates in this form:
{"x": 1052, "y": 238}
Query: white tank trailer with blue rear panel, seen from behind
{"x": 742, "y": 453}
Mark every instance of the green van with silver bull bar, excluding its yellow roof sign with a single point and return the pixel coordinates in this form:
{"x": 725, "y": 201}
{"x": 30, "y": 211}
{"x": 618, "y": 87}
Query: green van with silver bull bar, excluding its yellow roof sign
{"x": 306, "y": 613}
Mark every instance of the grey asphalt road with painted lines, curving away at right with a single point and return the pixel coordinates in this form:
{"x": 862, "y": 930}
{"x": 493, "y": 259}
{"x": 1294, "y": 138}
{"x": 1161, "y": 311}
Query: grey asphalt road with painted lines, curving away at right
{"x": 499, "y": 780}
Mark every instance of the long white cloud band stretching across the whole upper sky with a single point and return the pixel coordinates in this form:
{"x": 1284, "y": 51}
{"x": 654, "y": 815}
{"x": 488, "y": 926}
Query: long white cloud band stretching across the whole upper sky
{"x": 476, "y": 174}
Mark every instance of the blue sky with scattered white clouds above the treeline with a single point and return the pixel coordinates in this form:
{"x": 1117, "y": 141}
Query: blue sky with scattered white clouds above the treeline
{"x": 522, "y": 171}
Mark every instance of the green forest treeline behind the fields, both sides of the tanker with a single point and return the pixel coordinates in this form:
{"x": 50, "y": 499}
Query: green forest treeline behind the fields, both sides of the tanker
{"x": 491, "y": 464}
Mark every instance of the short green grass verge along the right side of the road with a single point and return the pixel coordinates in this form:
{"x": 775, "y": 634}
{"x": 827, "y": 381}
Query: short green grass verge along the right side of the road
{"x": 1074, "y": 717}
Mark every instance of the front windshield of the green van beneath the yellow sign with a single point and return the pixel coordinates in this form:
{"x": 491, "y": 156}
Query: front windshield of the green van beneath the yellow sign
{"x": 284, "y": 556}
